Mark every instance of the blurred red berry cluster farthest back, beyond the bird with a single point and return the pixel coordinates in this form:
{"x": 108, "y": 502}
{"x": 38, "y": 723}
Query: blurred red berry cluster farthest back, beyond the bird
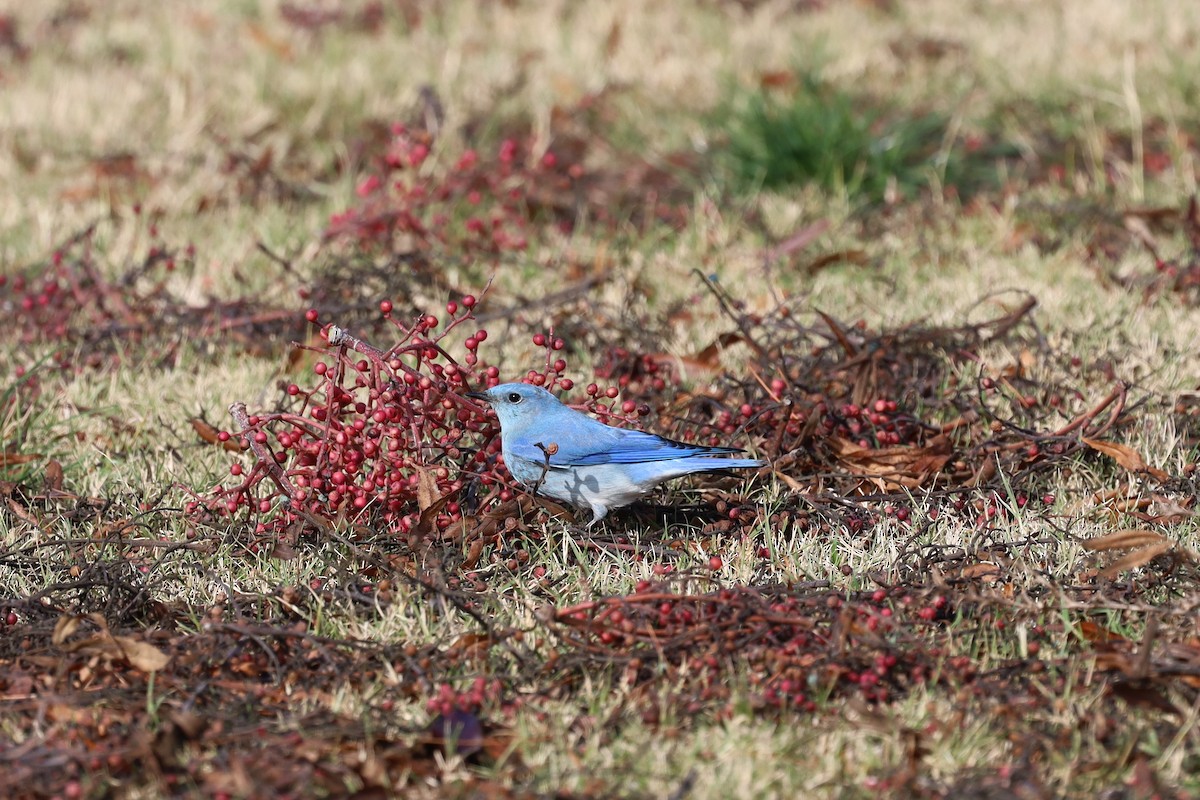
{"x": 479, "y": 207}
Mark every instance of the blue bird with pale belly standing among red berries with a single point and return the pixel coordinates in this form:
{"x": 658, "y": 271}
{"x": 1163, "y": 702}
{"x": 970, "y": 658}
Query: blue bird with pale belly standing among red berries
{"x": 569, "y": 456}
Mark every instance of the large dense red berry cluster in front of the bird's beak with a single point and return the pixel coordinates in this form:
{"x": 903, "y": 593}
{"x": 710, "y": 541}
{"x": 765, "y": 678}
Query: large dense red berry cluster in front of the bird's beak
{"x": 383, "y": 432}
